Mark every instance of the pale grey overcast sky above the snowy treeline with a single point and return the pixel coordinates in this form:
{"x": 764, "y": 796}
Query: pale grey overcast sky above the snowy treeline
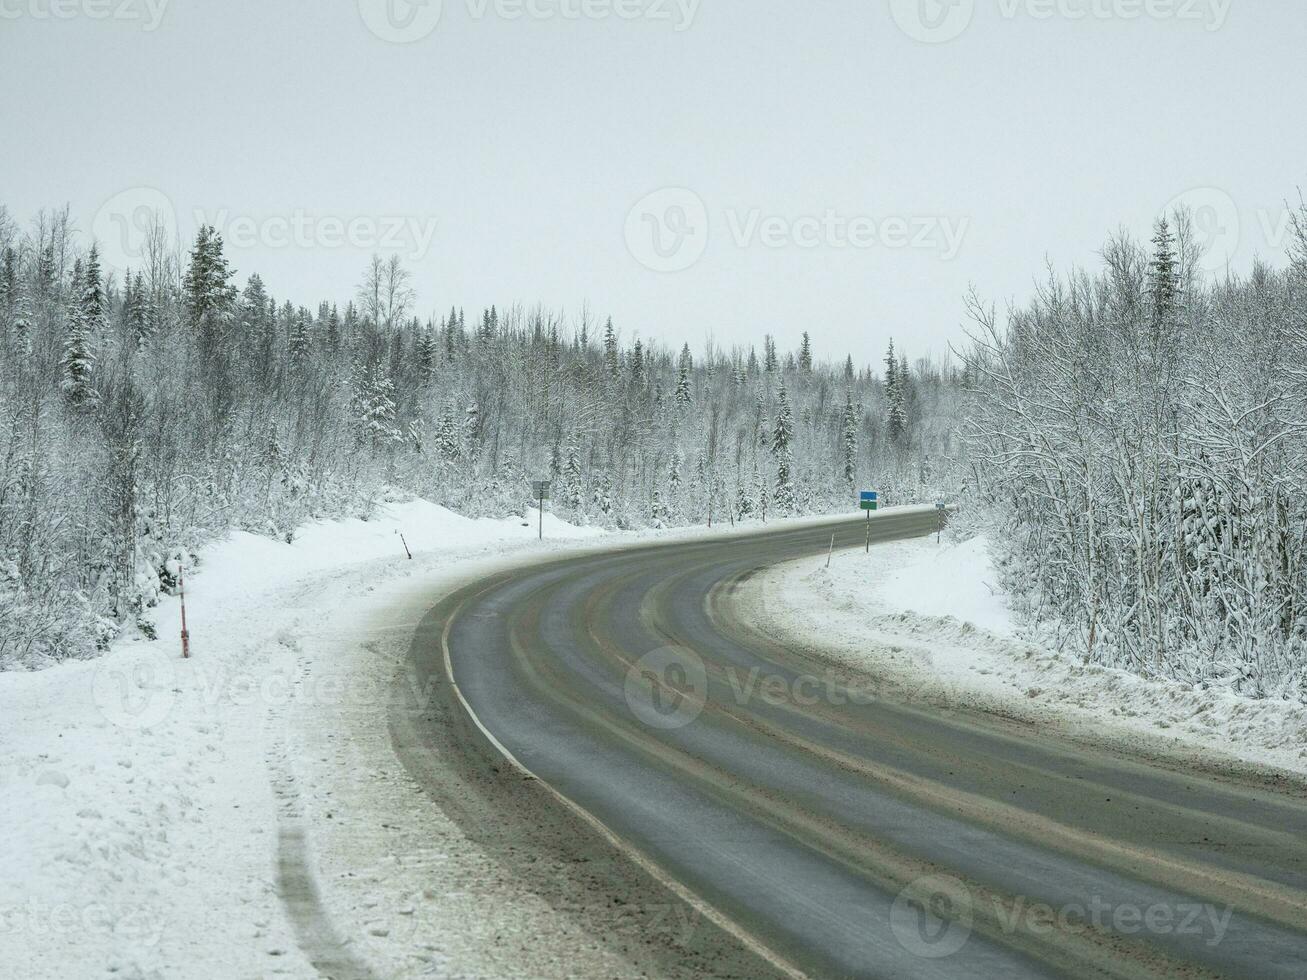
{"x": 692, "y": 168}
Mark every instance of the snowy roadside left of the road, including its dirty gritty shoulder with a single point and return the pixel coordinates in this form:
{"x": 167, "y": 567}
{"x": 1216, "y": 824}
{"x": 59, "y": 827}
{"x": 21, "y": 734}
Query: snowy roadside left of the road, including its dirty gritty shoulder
{"x": 154, "y": 808}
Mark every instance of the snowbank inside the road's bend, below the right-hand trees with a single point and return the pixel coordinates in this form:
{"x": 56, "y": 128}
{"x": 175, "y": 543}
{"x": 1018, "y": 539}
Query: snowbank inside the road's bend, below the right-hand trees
{"x": 934, "y": 616}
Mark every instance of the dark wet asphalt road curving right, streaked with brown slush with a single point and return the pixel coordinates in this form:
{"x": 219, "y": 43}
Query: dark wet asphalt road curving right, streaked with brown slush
{"x": 844, "y": 828}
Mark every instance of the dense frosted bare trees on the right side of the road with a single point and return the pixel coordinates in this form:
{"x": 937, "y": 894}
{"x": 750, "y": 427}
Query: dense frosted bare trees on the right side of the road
{"x": 1142, "y": 434}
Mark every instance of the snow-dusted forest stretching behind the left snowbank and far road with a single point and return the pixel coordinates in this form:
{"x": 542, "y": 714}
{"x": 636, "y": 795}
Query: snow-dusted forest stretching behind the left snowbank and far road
{"x": 146, "y": 412}
